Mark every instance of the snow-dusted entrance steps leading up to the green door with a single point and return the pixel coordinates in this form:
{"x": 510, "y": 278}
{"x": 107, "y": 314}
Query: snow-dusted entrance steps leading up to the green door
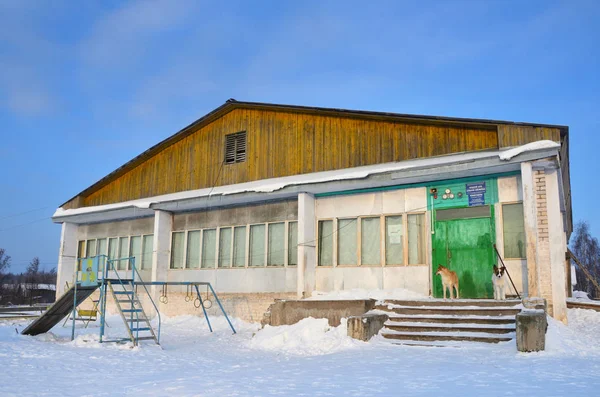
{"x": 448, "y": 323}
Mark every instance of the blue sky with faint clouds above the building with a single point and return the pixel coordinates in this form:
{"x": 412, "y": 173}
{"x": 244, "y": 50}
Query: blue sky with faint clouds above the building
{"x": 86, "y": 86}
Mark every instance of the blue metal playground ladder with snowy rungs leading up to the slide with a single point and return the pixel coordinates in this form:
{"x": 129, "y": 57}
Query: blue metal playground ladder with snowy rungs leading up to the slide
{"x": 130, "y": 308}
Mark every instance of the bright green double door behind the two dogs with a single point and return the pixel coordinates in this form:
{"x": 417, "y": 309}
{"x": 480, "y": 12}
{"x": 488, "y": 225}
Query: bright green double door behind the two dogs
{"x": 463, "y": 242}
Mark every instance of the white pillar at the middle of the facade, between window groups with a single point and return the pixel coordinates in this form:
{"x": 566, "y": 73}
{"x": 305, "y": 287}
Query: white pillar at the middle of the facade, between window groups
{"x": 307, "y": 258}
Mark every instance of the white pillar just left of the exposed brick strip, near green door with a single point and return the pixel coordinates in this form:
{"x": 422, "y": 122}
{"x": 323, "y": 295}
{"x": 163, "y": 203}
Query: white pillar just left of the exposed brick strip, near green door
{"x": 530, "y": 221}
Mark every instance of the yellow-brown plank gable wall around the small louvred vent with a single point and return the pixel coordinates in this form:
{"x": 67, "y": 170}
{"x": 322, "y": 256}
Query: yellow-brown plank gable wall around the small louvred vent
{"x": 282, "y": 144}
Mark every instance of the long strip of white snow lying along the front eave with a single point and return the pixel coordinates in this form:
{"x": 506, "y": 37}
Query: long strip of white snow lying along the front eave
{"x": 274, "y": 184}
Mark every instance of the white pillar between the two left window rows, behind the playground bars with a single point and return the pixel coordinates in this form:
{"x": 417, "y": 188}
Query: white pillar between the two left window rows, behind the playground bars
{"x": 161, "y": 254}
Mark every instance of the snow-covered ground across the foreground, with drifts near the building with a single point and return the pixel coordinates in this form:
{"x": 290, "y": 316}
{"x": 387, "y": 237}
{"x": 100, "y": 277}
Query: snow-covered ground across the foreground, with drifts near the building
{"x": 308, "y": 358}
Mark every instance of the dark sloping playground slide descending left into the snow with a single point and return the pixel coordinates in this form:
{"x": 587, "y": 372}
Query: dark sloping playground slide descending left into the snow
{"x": 59, "y": 310}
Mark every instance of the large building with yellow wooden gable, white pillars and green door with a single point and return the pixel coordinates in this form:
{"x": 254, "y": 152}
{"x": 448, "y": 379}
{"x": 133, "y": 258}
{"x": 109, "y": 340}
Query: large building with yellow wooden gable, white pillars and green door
{"x": 273, "y": 201}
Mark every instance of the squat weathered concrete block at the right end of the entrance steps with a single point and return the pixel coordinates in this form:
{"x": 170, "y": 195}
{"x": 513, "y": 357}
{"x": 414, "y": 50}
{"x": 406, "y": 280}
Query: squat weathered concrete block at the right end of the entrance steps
{"x": 531, "y": 330}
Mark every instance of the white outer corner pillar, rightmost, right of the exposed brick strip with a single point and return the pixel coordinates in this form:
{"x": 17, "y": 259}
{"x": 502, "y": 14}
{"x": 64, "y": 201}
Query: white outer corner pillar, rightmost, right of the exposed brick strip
{"x": 558, "y": 245}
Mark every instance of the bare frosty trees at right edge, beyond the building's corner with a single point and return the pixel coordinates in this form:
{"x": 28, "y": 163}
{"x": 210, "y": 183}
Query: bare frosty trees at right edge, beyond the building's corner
{"x": 587, "y": 249}
